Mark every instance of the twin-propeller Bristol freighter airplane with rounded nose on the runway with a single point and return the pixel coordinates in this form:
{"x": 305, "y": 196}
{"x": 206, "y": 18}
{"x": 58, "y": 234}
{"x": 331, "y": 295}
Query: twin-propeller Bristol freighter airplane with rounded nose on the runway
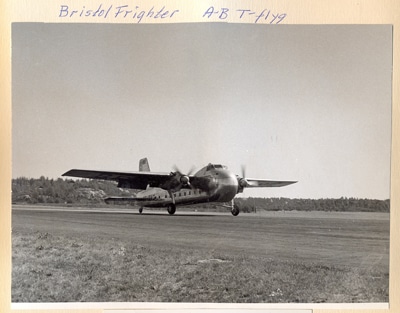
{"x": 212, "y": 183}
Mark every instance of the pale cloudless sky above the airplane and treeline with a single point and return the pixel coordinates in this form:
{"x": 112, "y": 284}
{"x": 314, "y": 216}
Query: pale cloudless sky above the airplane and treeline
{"x": 310, "y": 103}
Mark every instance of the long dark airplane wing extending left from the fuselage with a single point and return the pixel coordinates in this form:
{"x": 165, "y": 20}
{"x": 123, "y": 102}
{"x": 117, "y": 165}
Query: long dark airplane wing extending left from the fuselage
{"x": 133, "y": 180}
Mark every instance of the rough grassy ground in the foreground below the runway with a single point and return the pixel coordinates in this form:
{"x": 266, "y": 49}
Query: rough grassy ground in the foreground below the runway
{"x": 49, "y": 268}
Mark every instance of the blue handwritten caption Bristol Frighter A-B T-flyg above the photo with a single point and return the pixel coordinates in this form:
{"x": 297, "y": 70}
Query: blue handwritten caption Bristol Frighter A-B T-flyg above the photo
{"x": 137, "y": 15}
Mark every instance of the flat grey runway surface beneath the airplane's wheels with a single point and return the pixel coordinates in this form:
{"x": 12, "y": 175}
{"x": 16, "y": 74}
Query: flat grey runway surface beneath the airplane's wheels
{"x": 351, "y": 239}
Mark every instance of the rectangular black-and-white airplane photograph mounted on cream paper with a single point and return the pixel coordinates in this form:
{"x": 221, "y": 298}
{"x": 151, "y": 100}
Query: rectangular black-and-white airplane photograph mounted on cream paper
{"x": 201, "y": 163}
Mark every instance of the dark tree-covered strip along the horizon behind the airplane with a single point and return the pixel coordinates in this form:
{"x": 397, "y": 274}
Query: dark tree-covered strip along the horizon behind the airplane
{"x": 85, "y": 192}
